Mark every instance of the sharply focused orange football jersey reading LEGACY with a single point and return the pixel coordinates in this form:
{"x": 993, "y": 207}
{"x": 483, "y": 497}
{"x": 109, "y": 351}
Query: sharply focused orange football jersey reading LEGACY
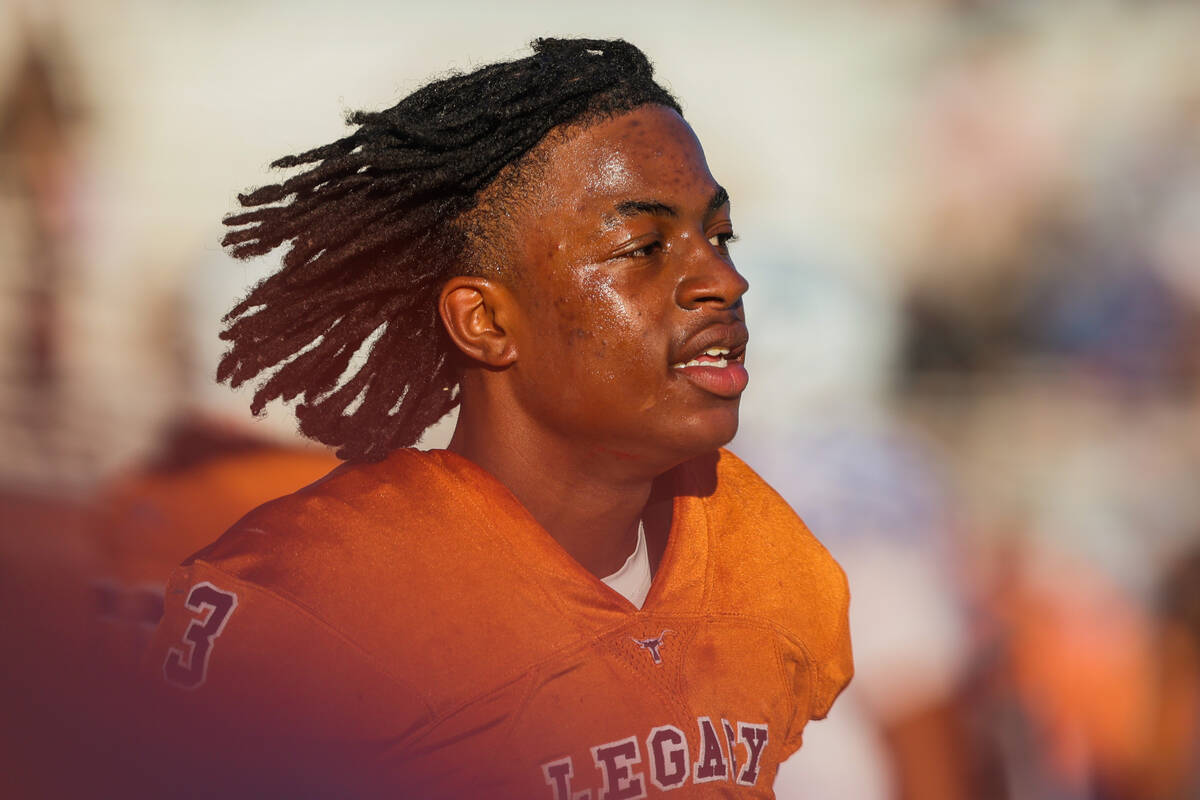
{"x": 412, "y": 623}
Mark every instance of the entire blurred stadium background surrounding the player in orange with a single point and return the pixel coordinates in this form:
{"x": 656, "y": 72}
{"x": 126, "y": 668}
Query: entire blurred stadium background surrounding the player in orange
{"x": 973, "y": 232}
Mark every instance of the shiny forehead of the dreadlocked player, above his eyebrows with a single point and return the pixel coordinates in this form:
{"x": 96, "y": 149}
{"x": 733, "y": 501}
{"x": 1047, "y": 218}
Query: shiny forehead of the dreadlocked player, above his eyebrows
{"x": 649, "y": 154}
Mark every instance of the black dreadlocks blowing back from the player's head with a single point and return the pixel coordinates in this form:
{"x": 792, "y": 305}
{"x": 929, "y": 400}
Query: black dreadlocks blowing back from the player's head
{"x": 380, "y": 220}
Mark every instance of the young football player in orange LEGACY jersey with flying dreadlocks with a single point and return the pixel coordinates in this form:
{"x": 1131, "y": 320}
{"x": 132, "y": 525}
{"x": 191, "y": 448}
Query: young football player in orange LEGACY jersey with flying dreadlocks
{"x": 583, "y": 597}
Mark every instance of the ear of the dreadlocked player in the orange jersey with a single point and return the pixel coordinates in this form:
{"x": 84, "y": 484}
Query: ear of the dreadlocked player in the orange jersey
{"x": 477, "y": 312}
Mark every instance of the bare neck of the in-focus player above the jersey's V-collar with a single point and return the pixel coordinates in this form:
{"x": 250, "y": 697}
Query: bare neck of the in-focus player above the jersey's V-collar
{"x": 589, "y": 501}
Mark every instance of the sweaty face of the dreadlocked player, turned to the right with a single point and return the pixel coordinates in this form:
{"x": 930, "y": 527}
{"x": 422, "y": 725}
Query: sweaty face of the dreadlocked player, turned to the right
{"x": 631, "y": 336}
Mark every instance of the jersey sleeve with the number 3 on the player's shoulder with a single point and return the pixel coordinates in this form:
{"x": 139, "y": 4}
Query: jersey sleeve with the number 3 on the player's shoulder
{"x": 248, "y": 679}
